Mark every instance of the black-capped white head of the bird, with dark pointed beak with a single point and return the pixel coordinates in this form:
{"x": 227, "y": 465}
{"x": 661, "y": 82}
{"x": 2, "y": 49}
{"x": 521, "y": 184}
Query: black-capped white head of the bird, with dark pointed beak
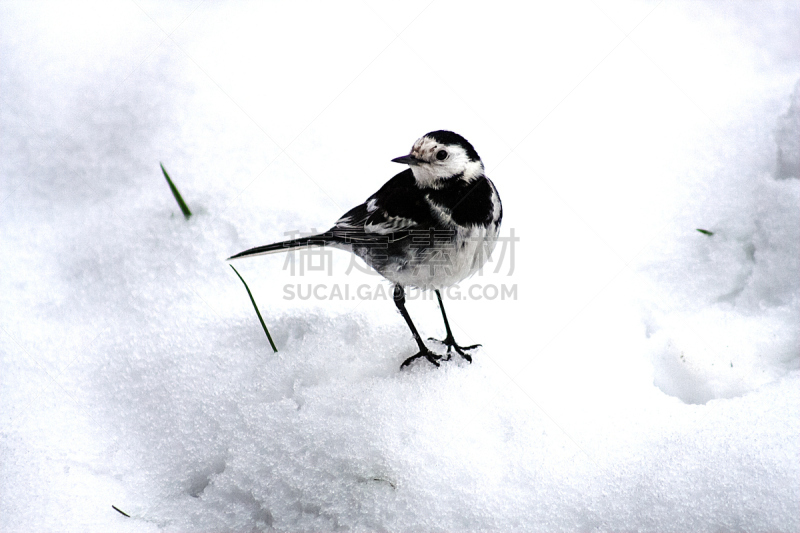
{"x": 440, "y": 156}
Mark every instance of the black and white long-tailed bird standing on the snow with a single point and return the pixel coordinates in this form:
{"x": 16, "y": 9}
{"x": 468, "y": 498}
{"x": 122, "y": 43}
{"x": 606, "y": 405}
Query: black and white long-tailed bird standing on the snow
{"x": 430, "y": 226}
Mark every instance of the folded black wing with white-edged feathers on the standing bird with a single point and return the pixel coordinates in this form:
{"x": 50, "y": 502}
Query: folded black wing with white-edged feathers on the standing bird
{"x": 394, "y": 212}
